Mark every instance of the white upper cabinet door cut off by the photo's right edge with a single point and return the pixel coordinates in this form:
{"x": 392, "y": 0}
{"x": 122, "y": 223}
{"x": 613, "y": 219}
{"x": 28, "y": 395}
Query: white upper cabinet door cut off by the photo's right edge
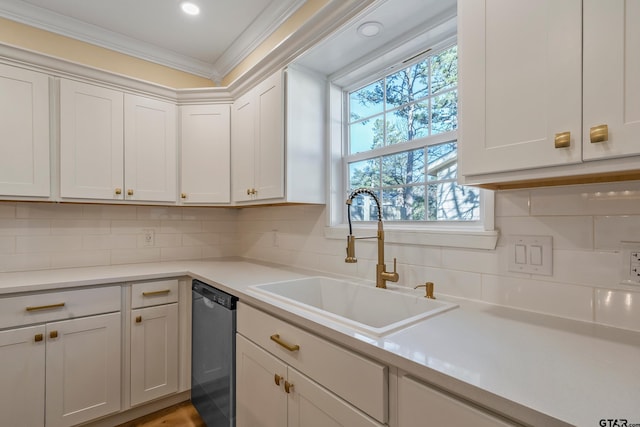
{"x": 612, "y": 77}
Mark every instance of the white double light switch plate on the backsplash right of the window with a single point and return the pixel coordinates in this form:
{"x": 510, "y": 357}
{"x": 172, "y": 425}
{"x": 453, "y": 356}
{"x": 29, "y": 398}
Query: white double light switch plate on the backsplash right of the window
{"x": 537, "y": 257}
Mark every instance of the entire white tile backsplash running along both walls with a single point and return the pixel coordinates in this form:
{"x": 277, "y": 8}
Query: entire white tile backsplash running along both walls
{"x": 586, "y": 222}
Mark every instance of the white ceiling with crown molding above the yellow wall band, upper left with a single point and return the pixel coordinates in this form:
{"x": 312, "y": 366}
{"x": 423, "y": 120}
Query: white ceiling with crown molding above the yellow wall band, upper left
{"x": 208, "y": 45}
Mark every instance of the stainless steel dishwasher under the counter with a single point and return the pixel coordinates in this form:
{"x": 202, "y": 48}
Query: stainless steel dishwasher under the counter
{"x": 213, "y": 354}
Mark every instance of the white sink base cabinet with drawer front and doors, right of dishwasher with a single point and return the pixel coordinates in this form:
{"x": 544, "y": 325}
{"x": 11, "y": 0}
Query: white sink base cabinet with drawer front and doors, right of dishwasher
{"x": 289, "y": 377}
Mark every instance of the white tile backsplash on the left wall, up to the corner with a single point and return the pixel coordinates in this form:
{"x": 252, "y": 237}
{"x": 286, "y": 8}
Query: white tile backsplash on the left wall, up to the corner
{"x": 36, "y": 236}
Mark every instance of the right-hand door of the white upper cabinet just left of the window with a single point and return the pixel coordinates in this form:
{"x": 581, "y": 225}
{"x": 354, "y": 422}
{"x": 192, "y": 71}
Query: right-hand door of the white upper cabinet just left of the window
{"x": 269, "y": 155}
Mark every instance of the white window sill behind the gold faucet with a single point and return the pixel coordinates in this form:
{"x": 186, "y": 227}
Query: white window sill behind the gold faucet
{"x": 450, "y": 237}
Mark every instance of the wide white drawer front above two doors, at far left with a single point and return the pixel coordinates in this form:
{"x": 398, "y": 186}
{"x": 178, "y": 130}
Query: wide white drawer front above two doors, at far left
{"x": 48, "y": 306}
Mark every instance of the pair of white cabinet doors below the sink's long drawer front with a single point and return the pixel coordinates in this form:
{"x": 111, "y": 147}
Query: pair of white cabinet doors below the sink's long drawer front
{"x": 269, "y": 393}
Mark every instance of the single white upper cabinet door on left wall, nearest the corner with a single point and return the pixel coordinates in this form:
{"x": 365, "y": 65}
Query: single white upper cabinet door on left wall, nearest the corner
{"x": 206, "y": 154}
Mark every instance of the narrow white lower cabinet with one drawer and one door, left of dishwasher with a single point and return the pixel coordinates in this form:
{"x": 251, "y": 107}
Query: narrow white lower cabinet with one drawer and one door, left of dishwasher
{"x": 154, "y": 340}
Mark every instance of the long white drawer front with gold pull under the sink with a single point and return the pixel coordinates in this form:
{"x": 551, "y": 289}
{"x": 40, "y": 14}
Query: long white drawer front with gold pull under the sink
{"x": 326, "y": 363}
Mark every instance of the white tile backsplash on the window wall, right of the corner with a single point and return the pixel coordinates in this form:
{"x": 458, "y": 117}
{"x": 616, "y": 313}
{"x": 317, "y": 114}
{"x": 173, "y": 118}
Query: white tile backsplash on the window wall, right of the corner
{"x": 586, "y": 222}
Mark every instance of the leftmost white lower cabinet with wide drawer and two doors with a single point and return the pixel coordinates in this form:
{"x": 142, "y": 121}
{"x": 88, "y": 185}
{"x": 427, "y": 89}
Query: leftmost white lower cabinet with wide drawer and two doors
{"x": 74, "y": 361}
